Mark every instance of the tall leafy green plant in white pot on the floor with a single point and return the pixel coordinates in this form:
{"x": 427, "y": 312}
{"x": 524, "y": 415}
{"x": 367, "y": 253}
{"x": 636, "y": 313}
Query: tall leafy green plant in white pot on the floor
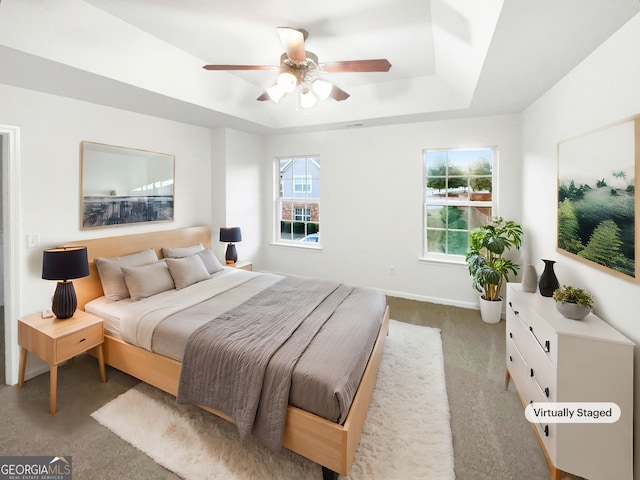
{"x": 488, "y": 266}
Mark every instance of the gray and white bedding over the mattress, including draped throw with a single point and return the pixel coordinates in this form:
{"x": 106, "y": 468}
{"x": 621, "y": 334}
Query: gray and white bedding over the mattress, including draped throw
{"x": 322, "y": 371}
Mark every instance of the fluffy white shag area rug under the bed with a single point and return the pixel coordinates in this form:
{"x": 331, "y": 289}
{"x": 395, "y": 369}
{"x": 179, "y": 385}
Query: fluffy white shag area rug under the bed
{"x": 407, "y": 433}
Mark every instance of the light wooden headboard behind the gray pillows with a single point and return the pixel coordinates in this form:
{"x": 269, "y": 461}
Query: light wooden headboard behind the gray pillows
{"x": 88, "y": 288}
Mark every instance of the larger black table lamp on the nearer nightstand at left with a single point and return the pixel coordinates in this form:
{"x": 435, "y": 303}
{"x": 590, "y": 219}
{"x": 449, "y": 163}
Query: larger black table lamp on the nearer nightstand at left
{"x": 64, "y": 264}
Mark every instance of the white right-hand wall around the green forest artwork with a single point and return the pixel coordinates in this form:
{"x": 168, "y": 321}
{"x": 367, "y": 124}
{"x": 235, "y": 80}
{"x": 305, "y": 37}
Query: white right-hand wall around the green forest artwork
{"x": 601, "y": 90}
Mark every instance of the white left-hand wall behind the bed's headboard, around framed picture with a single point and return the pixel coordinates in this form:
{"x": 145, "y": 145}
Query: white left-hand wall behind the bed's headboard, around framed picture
{"x": 51, "y": 130}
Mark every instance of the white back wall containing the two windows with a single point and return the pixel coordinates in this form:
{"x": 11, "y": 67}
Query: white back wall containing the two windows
{"x": 371, "y": 207}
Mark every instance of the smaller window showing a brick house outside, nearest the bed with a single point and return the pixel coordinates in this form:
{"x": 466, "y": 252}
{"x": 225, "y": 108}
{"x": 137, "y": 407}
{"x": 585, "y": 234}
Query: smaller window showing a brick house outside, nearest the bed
{"x": 298, "y": 202}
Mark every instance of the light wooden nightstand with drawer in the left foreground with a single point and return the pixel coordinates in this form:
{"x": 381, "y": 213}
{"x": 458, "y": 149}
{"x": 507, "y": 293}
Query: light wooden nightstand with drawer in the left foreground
{"x": 56, "y": 341}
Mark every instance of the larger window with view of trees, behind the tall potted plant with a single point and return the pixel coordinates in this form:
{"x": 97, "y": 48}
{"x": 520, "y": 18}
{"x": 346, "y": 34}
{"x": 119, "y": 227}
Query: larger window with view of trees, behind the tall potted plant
{"x": 458, "y": 197}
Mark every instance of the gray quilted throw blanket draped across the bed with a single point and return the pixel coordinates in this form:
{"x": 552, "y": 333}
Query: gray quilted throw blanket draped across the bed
{"x": 241, "y": 362}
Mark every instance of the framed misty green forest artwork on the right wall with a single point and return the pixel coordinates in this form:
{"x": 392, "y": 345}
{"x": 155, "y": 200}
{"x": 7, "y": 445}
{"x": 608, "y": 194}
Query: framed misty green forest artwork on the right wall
{"x": 596, "y": 197}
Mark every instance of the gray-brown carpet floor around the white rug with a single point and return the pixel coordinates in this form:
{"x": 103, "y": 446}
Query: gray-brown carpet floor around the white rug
{"x": 492, "y": 440}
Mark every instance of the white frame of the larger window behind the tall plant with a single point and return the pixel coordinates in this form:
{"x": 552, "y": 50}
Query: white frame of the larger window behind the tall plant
{"x": 446, "y": 201}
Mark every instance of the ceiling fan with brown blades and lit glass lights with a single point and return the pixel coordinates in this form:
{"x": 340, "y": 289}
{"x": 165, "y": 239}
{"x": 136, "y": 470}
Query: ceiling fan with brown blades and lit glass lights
{"x": 300, "y": 68}
